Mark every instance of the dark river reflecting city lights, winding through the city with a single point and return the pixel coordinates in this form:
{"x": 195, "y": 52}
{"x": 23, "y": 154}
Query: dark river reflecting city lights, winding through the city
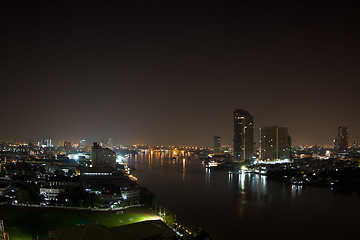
{"x": 245, "y": 206}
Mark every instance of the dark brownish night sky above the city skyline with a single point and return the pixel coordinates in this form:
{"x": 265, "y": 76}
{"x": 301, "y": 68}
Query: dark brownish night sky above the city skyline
{"x": 169, "y": 72}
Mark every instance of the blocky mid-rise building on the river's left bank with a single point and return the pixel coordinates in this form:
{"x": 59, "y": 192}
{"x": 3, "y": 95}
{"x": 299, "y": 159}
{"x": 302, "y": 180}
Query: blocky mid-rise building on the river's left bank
{"x": 102, "y": 157}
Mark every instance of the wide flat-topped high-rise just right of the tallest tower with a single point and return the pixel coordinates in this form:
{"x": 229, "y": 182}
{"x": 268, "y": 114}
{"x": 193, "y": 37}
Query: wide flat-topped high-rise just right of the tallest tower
{"x": 275, "y": 143}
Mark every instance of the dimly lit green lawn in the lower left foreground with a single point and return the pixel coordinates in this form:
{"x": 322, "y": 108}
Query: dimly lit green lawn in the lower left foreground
{"x": 25, "y": 223}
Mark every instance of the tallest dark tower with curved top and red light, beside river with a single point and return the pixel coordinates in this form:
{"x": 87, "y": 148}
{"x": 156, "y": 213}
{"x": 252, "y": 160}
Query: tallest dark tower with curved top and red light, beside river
{"x": 243, "y": 135}
